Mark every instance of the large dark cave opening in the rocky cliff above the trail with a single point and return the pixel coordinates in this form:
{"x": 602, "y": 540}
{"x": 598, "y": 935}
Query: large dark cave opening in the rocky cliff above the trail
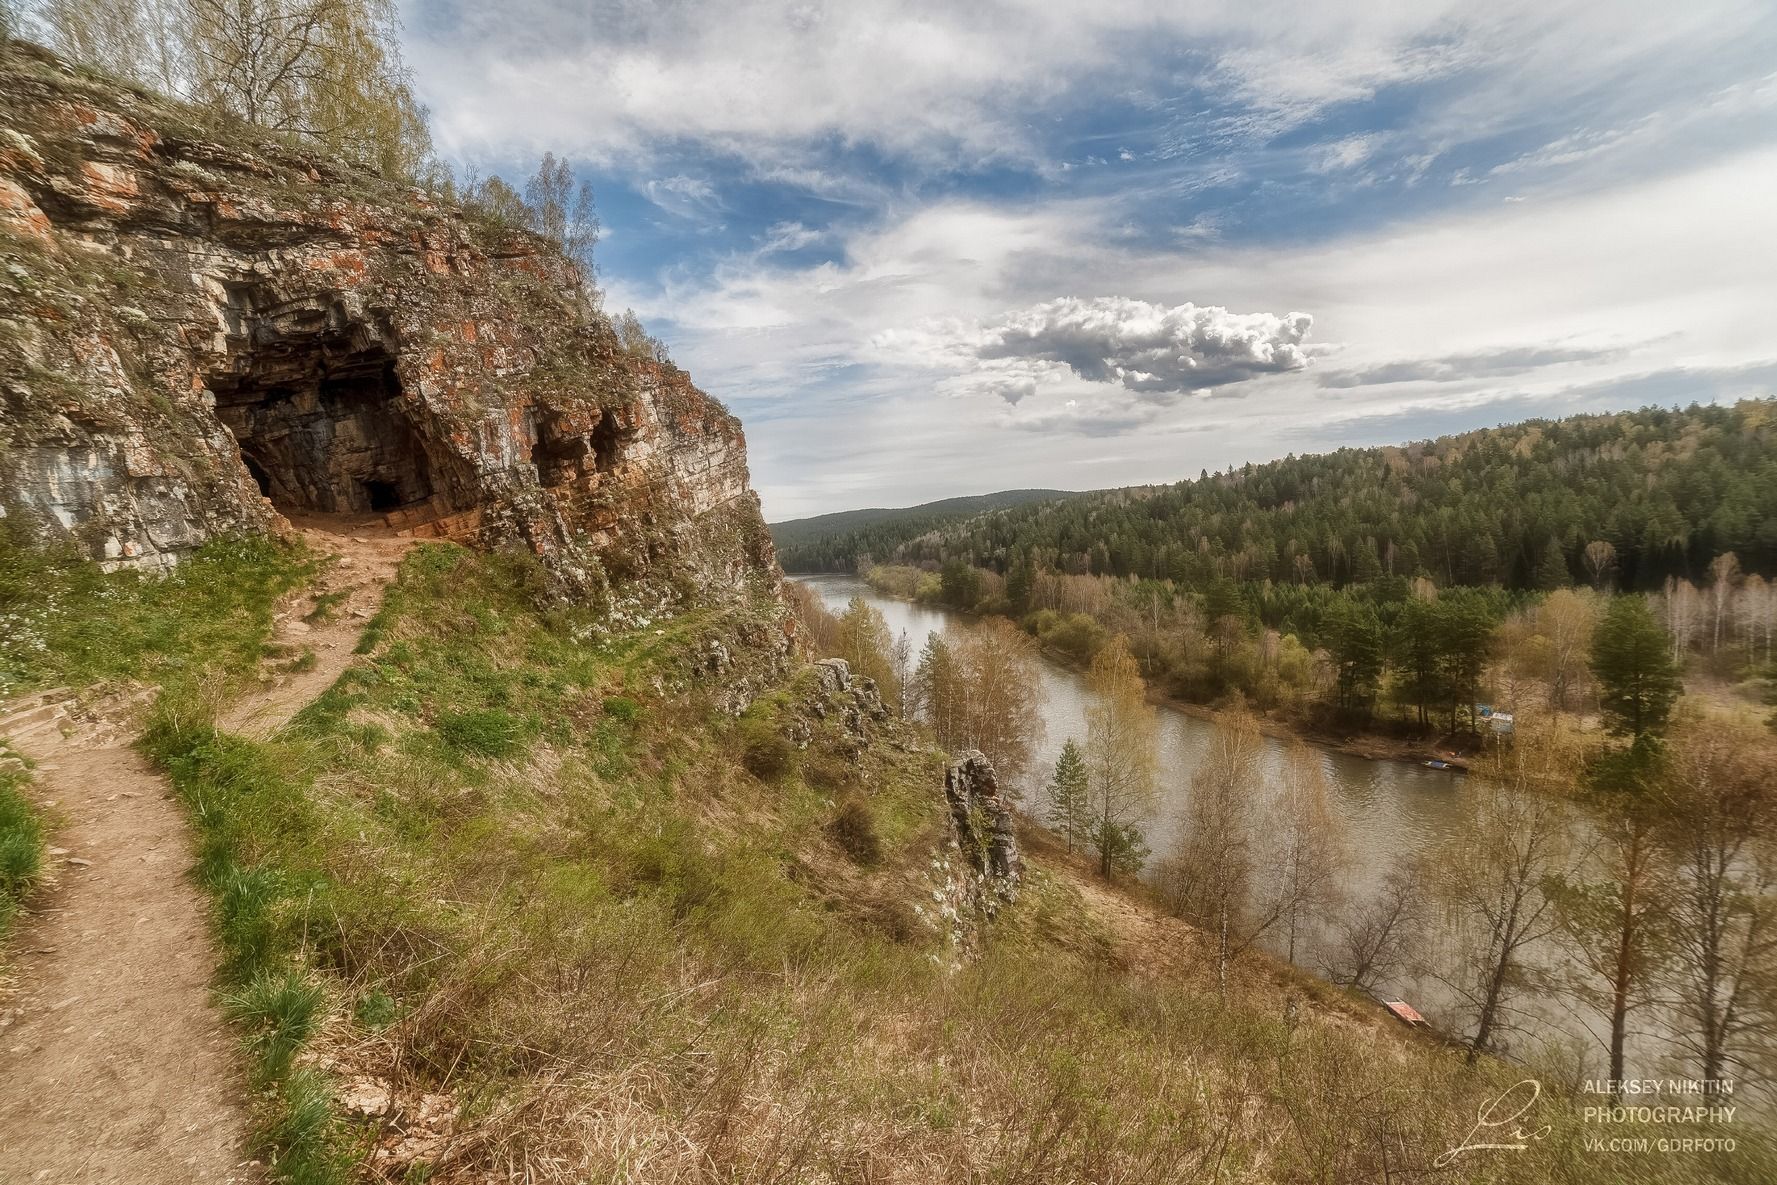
{"x": 328, "y": 436}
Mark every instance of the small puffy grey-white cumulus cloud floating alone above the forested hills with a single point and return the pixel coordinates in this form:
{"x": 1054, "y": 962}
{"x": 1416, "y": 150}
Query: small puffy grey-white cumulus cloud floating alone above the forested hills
{"x": 1151, "y": 349}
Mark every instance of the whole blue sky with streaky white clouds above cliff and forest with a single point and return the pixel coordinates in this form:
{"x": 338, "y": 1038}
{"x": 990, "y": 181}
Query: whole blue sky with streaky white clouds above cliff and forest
{"x": 936, "y": 250}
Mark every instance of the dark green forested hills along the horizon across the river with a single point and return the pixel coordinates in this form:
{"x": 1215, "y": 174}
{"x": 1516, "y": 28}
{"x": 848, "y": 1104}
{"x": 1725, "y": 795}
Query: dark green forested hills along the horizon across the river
{"x": 1653, "y": 495}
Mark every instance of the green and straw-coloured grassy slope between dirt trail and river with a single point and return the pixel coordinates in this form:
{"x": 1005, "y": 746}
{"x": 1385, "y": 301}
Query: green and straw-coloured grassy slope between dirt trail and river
{"x": 543, "y": 877}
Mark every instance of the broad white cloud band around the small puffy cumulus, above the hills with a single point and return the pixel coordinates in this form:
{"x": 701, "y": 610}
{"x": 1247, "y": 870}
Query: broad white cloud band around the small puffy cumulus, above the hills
{"x": 1499, "y": 305}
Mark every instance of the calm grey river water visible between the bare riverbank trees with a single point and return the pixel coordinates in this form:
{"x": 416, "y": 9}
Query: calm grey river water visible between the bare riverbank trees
{"x": 1392, "y": 811}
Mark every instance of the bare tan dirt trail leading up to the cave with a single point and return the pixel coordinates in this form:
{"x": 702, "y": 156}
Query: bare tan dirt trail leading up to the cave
{"x": 115, "y": 1062}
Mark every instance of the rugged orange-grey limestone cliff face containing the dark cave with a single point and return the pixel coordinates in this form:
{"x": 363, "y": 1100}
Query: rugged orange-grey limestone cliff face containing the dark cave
{"x": 203, "y": 330}
